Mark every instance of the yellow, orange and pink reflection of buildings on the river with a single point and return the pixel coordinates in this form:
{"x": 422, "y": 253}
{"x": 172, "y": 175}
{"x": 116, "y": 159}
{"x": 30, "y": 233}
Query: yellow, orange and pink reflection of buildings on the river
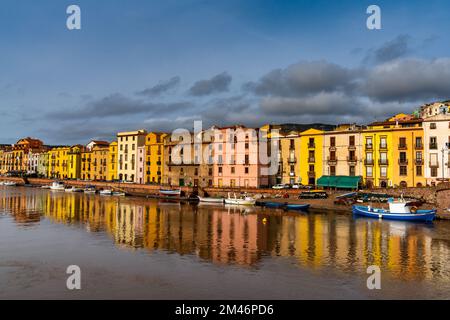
{"x": 233, "y": 235}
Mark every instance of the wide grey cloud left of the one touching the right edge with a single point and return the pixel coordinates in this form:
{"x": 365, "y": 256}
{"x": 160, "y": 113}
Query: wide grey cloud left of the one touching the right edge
{"x": 303, "y": 79}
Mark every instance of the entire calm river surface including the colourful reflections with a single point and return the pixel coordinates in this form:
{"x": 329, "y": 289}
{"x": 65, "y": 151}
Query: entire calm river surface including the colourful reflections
{"x": 134, "y": 248}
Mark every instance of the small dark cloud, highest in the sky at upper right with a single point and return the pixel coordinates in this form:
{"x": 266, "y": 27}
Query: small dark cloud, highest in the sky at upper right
{"x": 396, "y": 48}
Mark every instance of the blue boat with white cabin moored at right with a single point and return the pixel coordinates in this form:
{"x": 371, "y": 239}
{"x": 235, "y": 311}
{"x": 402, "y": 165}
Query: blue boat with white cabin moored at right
{"x": 398, "y": 210}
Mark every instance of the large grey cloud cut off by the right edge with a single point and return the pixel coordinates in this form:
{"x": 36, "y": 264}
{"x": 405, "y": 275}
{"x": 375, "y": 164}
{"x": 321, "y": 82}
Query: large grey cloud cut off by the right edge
{"x": 409, "y": 80}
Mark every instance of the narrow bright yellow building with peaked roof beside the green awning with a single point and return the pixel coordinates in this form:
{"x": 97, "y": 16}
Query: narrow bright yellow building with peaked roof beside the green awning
{"x": 311, "y": 156}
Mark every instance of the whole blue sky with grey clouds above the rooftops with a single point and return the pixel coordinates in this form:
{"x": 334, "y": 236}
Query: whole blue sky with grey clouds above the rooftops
{"x": 161, "y": 65}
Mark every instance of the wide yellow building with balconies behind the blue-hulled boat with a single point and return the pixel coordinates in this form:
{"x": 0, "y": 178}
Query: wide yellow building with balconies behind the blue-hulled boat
{"x": 393, "y": 153}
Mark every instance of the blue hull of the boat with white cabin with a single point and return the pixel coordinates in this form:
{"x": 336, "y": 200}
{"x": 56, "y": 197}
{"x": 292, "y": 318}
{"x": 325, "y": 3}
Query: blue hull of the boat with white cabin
{"x": 420, "y": 215}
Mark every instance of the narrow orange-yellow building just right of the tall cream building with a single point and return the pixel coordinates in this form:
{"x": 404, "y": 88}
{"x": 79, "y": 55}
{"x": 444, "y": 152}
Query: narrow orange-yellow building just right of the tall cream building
{"x": 154, "y": 157}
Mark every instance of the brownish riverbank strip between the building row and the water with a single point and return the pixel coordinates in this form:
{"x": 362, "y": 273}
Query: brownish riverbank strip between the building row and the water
{"x": 435, "y": 197}
